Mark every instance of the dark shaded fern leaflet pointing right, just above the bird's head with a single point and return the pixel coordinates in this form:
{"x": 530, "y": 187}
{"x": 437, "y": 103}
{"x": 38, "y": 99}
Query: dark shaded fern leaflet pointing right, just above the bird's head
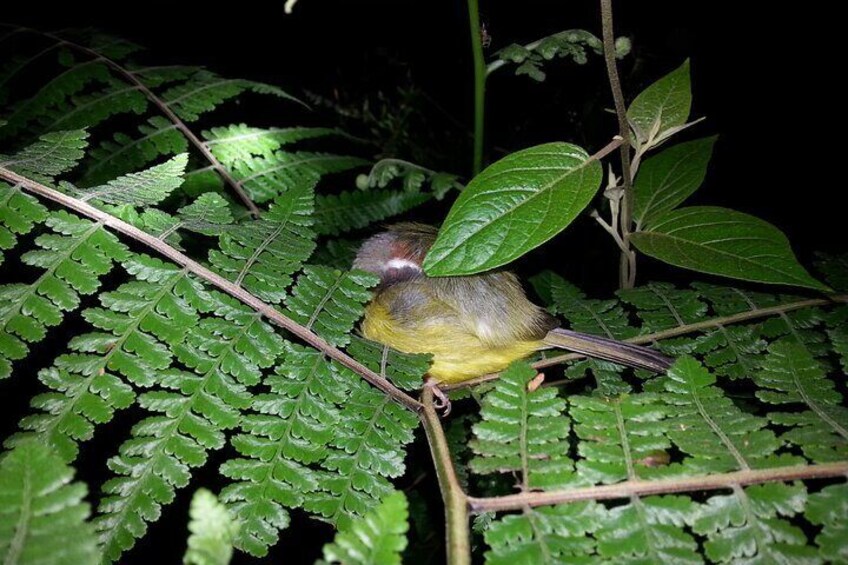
{"x": 350, "y": 210}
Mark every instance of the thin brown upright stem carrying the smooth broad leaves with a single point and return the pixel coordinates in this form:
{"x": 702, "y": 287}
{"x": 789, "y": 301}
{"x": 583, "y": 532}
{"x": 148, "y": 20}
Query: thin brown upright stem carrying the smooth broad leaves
{"x": 627, "y": 262}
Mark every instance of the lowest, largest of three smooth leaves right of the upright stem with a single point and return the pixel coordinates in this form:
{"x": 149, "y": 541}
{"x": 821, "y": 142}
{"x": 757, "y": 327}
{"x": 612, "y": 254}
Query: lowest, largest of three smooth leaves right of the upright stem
{"x": 724, "y": 242}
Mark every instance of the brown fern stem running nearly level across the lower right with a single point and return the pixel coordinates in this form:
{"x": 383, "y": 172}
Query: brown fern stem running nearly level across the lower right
{"x": 630, "y": 488}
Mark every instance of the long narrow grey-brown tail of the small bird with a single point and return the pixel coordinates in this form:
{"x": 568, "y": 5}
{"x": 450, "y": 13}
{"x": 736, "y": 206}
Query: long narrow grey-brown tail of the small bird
{"x": 609, "y": 350}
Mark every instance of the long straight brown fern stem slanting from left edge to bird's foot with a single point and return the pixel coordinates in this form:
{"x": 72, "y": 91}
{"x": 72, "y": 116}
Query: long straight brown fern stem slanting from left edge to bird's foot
{"x": 215, "y": 280}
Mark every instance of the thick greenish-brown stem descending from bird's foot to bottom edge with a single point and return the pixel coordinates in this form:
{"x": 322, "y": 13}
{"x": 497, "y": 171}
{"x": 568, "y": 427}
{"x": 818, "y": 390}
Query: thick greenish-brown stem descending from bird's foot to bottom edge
{"x": 456, "y": 501}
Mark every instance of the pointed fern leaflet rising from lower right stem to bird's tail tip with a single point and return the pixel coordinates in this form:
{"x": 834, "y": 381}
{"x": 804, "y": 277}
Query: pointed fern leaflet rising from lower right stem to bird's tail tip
{"x": 707, "y": 425}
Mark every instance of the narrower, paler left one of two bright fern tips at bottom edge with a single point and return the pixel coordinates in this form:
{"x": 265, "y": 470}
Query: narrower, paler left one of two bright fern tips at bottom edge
{"x": 213, "y": 531}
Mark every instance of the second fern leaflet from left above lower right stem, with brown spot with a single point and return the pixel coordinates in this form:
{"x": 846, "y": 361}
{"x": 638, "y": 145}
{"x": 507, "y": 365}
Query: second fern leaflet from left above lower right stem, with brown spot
{"x": 620, "y": 438}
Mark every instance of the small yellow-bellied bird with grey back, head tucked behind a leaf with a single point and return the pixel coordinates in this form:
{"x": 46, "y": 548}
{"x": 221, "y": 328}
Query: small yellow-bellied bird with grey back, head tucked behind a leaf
{"x": 473, "y": 325}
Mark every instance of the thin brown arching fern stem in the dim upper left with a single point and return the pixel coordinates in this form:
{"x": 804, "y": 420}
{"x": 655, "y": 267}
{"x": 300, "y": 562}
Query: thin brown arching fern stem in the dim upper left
{"x": 165, "y": 109}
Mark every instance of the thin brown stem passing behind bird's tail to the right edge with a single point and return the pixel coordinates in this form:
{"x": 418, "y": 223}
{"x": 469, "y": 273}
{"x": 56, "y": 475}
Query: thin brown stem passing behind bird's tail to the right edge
{"x": 674, "y": 332}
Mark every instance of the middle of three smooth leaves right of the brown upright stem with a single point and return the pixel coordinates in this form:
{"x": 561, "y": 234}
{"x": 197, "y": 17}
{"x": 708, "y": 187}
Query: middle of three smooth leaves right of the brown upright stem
{"x": 669, "y": 178}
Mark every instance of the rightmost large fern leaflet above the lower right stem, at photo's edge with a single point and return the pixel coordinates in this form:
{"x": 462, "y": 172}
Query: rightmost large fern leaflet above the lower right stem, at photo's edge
{"x": 790, "y": 375}
